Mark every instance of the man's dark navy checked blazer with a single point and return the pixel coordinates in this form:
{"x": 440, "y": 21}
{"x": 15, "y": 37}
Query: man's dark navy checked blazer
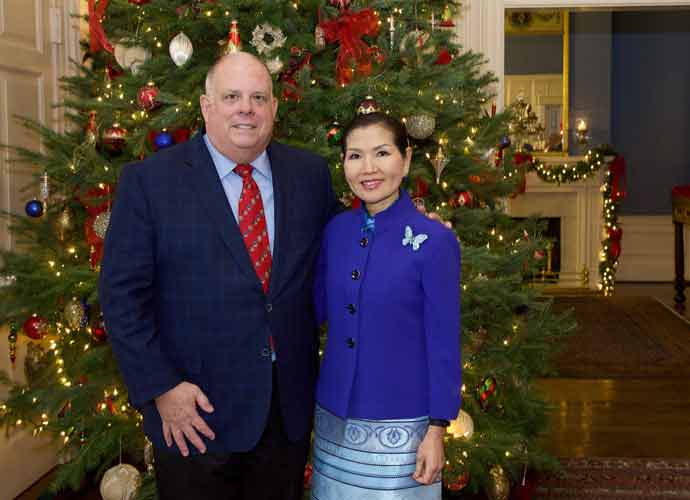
{"x": 182, "y": 302}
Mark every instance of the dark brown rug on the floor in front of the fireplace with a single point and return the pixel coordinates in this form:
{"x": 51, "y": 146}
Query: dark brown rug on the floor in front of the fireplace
{"x": 624, "y": 337}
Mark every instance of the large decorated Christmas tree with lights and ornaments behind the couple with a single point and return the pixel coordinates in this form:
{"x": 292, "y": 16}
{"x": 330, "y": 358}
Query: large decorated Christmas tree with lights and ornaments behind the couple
{"x": 137, "y": 91}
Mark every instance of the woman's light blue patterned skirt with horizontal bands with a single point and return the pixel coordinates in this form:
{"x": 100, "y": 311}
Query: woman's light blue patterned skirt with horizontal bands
{"x": 357, "y": 459}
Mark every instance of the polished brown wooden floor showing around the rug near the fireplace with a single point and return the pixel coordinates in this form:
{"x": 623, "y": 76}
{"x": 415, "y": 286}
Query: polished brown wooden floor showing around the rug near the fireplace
{"x": 621, "y": 418}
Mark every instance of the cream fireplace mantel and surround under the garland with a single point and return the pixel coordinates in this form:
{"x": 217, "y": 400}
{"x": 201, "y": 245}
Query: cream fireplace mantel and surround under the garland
{"x": 579, "y": 205}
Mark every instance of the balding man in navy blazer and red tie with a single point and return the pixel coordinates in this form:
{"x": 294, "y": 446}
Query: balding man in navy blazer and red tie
{"x": 206, "y": 291}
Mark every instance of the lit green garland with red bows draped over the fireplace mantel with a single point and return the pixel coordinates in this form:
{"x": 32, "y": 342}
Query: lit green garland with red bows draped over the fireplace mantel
{"x": 613, "y": 192}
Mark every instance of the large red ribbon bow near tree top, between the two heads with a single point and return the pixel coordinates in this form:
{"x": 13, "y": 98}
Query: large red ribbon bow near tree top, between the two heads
{"x": 354, "y": 56}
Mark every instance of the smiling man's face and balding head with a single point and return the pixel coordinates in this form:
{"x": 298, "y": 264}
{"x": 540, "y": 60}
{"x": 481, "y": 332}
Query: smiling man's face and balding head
{"x": 240, "y": 111}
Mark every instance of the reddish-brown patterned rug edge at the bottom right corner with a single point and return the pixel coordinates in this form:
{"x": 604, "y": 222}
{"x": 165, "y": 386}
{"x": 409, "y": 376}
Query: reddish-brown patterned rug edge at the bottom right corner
{"x": 617, "y": 479}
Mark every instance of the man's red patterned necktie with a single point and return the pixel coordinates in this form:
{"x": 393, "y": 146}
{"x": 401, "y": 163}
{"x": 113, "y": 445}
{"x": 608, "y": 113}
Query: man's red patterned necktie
{"x": 252, "y": 222}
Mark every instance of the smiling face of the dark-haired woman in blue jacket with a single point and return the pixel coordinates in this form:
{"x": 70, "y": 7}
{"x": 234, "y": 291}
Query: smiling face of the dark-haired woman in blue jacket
{"x": 374, "y": 167}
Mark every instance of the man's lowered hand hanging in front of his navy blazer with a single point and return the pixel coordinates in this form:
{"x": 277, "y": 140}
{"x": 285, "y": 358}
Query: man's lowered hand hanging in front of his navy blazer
{"x": 177, "y": 409}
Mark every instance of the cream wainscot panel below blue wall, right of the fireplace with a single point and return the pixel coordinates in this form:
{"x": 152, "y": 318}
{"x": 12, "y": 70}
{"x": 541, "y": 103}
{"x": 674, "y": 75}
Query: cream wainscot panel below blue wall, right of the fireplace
{"x": 648, "y": 249}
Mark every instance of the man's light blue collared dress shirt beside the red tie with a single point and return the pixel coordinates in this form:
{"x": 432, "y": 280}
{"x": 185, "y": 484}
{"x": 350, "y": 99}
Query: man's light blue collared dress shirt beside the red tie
{"x": 232, "y": 184}
